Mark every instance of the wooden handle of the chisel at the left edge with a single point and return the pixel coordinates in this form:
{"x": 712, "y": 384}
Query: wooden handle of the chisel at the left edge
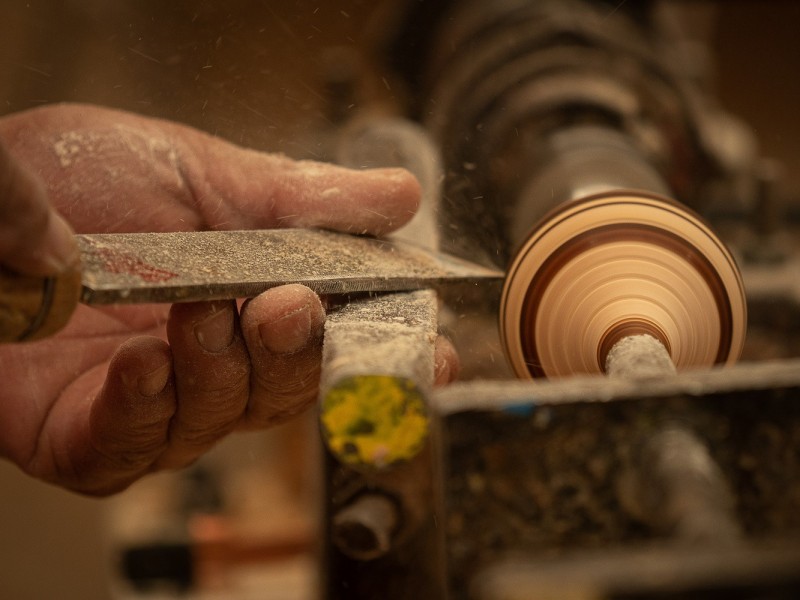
{"x": 35, "y": 307}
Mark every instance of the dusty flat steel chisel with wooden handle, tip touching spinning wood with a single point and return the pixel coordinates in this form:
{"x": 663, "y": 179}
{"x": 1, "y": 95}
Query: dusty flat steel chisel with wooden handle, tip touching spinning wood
{"x": 130, "y": 268}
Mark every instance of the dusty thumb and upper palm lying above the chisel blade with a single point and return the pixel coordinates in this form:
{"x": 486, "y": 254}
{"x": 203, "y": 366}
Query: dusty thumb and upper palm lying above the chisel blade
{"x": 167, "y": 176}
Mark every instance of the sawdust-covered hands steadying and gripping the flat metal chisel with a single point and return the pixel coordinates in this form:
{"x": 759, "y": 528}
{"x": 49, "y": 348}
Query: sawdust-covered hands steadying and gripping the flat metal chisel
{"x": 123, "y": 391}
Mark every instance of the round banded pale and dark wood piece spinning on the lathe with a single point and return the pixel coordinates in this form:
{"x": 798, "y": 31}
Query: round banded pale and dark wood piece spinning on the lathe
{"x": 600, "y": 269}
